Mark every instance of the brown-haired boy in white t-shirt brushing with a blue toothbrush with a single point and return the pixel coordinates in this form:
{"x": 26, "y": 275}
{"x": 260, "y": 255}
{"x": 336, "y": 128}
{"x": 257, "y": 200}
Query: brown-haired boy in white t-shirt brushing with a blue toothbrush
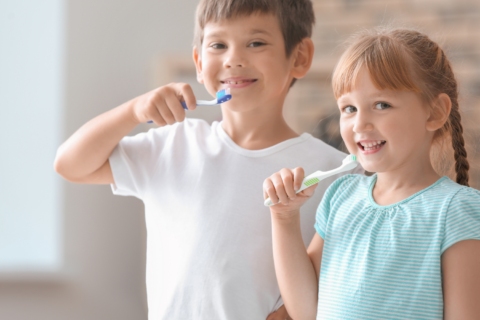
{"x": 209, "y": 253}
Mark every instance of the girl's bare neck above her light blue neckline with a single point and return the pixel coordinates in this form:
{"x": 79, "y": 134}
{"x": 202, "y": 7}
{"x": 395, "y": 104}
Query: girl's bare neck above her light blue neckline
{"x": 392, "y": 187}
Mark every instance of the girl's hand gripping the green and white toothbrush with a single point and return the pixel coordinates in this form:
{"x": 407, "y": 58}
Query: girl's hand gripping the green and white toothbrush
{"x": 281, "y": 187}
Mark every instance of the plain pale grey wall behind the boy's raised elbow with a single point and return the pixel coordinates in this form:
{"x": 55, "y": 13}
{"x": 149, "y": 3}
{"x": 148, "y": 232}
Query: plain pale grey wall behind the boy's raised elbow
{"x": 110, "y": 50}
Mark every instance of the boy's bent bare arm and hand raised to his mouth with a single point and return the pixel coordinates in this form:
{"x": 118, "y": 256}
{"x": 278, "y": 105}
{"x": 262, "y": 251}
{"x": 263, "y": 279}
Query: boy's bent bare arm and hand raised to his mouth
{"x": 84, "y": 156}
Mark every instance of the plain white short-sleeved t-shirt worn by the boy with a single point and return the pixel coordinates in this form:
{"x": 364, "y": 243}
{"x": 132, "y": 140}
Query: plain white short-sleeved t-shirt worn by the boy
{"x": 209, "y": 243}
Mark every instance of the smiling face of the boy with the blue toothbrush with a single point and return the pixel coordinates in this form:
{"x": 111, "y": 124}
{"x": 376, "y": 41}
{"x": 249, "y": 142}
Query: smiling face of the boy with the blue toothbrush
{"x": 247, "y": 55}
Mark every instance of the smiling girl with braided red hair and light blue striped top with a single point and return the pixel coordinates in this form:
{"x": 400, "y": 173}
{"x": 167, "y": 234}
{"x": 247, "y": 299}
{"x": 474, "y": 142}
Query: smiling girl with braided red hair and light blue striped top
{"x": 404, "y": 242}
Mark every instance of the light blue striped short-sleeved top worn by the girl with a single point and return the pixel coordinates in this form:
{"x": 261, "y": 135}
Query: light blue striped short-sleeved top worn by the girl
{"x": 384, "y": 262}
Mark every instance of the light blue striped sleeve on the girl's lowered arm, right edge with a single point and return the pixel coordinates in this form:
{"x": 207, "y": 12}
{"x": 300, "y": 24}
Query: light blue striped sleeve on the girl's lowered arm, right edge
{"x": 462, "y": 221}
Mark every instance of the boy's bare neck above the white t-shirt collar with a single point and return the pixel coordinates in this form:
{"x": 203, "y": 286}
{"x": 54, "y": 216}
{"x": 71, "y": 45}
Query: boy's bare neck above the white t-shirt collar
{"x": 255, "y": 131}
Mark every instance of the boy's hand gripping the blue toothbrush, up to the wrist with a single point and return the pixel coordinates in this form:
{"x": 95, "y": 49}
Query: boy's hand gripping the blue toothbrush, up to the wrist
{"x": 163, "y": 105}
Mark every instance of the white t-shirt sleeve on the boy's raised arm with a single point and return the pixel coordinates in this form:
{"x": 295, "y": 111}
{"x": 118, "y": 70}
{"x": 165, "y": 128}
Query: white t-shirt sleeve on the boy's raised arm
{"x": 133, "y": 161}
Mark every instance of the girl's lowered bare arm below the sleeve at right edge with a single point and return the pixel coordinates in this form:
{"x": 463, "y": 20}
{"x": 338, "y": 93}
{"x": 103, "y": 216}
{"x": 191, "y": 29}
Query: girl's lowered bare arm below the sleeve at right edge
{"x": 461, "y": 280}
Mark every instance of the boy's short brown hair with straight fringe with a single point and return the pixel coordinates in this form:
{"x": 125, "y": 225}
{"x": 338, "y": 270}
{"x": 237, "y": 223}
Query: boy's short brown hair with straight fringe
{"x": 296, "y": 17}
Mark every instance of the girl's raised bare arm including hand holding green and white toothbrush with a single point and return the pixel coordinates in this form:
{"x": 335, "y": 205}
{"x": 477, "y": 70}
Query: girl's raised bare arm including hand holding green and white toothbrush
{"x": 297, "y": 271}
